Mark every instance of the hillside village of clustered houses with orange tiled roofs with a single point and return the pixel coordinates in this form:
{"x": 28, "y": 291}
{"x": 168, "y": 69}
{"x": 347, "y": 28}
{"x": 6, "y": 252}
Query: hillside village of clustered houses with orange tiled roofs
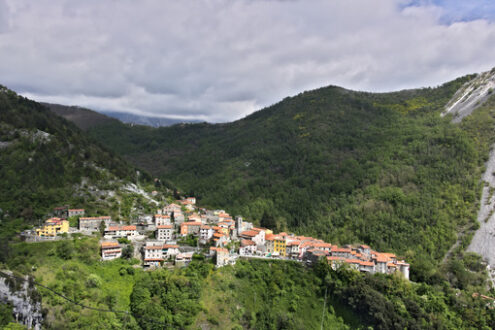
{"x": 181, "y": 229}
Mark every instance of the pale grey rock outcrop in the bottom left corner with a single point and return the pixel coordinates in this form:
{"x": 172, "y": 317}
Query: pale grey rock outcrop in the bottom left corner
{"x": 26, "y": 311}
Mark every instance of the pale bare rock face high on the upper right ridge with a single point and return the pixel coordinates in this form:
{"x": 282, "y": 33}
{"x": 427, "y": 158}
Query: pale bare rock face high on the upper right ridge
{"x": 473, "y": 94}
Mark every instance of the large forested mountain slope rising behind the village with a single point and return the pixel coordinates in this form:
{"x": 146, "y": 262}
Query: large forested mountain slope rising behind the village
{"x": 384, "y": 169}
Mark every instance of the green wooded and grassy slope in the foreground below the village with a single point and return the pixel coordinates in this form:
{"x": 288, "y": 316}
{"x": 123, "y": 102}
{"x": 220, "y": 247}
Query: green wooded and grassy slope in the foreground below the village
{"x": 253, "y": 294}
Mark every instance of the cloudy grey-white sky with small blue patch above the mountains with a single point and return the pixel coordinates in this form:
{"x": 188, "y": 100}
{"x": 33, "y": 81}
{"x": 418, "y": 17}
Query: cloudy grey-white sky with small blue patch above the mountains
{"x": 219, "y": 60}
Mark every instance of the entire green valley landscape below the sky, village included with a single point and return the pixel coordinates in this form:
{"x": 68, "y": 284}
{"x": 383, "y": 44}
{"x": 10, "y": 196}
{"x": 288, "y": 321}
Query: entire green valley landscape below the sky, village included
{"x": 316, "y": 178}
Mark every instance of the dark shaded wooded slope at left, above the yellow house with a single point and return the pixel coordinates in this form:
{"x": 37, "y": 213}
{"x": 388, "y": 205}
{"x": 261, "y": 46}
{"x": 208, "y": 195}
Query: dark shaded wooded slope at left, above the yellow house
{"x": 46, "y": 160}
